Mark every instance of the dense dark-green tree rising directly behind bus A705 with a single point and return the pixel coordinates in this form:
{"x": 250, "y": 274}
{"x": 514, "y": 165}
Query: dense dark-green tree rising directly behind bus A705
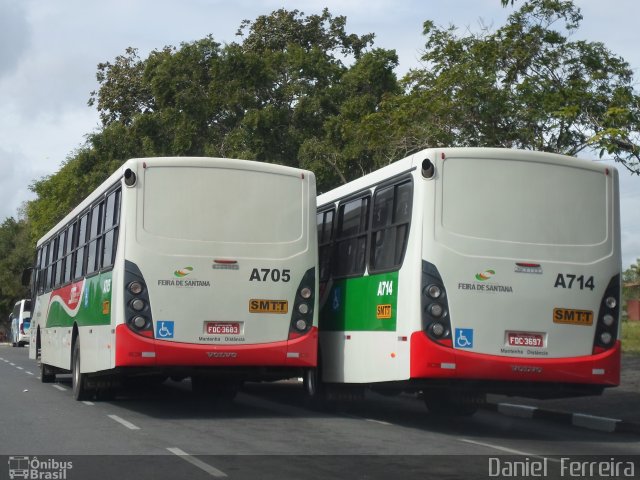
{"x": 283, "y": 94}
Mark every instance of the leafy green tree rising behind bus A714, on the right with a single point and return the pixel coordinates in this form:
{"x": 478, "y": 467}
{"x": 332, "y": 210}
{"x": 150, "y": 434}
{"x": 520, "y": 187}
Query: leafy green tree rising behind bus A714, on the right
{"x": 524, "y": 85}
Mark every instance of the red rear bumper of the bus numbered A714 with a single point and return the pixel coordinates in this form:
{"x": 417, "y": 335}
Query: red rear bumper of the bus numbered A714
{"x": 430, "y": 360}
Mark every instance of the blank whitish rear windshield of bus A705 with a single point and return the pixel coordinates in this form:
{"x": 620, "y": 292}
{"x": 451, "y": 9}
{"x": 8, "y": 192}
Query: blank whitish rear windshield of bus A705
{"x": 222, "y": 205}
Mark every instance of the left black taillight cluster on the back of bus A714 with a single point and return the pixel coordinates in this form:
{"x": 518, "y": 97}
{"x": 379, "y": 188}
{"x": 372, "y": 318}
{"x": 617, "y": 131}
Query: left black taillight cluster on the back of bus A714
{"x": 435, "y": 307}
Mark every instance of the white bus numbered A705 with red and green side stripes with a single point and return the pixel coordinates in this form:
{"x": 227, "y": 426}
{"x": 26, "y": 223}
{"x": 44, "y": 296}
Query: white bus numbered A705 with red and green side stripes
{"x": 181, "y": 267}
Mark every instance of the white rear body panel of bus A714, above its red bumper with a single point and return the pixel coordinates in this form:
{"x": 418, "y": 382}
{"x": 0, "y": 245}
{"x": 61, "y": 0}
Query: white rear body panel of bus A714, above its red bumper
{"x": 497, "y": 209}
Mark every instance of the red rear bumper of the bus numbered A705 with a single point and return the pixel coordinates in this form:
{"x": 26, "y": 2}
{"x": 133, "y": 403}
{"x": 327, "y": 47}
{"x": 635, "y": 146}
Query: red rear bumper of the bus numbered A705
{"x": 133, "y": 350}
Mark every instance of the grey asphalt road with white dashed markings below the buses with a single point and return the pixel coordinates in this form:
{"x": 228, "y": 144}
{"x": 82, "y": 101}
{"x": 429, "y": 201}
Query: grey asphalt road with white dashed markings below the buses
{"x": 269, "y": 431}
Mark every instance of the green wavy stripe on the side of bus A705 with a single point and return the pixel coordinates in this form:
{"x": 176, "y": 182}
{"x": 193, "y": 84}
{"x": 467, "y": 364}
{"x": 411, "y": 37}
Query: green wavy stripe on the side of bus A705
{"x": 95, "y": 305}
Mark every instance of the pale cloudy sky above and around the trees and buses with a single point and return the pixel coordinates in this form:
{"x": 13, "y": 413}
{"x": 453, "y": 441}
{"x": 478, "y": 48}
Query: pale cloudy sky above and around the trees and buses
{"x": 50, "y": 49}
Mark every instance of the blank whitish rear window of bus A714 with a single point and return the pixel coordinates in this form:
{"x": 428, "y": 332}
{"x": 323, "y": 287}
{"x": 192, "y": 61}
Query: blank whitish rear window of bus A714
{"x": 524, "y": 202}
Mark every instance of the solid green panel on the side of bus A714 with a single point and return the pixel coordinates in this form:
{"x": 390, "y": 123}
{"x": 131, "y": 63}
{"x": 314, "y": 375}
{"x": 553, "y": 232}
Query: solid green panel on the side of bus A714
{"x": 362, "y": 304}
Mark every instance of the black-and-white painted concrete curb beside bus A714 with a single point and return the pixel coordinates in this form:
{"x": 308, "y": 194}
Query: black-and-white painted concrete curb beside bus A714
{"x": 591, "y": 422}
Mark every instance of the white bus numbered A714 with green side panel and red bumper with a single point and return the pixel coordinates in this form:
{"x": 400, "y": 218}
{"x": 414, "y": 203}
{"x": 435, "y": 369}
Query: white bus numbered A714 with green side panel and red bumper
{"x": 458, "y": 272}
